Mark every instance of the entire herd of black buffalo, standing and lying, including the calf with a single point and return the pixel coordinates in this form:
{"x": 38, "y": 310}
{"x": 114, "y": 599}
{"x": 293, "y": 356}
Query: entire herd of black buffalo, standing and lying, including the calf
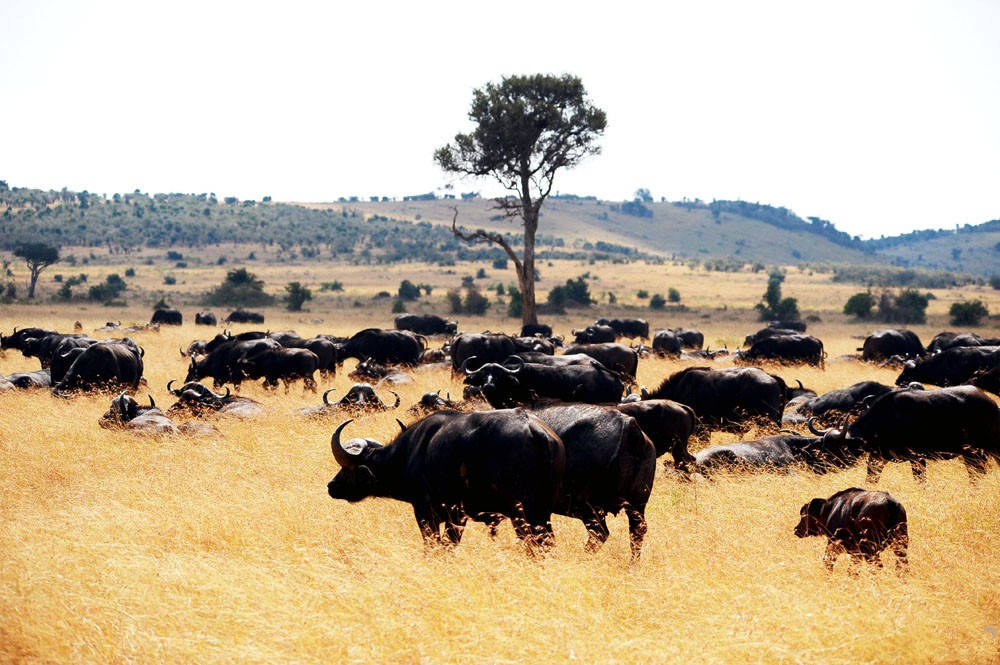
{"x": 544, "y": 427}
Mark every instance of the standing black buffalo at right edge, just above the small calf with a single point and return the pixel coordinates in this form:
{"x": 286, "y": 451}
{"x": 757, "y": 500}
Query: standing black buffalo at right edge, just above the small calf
{"x": 917, "y": 425}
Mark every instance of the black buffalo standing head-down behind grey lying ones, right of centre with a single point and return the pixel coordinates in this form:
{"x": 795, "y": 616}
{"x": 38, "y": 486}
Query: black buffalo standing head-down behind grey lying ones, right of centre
{"x": 726, "y": 398}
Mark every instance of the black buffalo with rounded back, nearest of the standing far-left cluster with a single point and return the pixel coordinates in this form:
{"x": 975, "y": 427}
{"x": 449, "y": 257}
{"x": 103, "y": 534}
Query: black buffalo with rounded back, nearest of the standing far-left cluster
{"x": 111, "y": 365}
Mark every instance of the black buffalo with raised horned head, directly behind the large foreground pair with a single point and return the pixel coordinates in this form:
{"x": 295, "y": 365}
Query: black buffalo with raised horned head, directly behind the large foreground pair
{"x": 525, "y": 382}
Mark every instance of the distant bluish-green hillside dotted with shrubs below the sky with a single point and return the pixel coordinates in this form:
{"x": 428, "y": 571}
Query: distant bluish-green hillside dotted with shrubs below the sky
{"x": 724, "y": 233}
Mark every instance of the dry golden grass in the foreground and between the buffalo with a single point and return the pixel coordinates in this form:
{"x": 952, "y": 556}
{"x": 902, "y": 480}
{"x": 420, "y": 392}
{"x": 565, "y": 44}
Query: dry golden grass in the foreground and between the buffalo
{"x": 118, "y": 549}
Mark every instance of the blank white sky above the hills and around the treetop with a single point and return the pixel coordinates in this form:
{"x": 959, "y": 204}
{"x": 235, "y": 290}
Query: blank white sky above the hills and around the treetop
{"x": 881, "y": 116}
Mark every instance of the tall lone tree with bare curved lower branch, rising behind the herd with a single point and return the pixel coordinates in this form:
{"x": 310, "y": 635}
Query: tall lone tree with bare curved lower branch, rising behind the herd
{"x": 527, "y": 128}
